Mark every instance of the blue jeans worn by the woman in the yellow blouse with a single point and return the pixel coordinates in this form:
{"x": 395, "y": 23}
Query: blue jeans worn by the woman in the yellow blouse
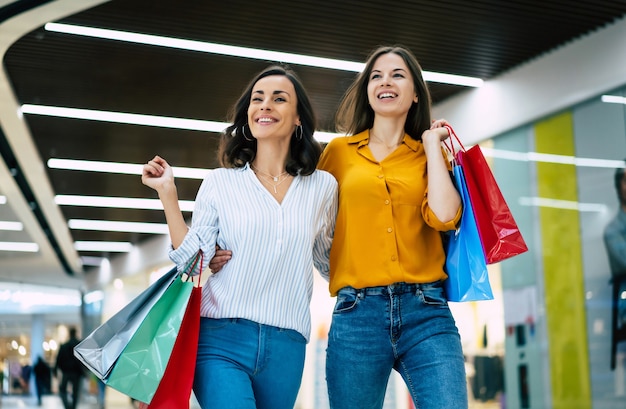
{"x": 406, "y": 327}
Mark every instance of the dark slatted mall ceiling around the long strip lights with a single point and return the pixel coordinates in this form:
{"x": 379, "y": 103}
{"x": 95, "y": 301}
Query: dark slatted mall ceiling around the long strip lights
{"x": 482, "y": 38}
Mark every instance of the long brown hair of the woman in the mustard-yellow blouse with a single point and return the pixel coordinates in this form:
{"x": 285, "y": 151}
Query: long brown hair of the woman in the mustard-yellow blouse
{"x": 355, "y": 115}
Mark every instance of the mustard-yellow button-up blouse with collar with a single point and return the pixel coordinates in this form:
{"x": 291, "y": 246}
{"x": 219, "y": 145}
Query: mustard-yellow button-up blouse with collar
{"x": 385, "y": 231}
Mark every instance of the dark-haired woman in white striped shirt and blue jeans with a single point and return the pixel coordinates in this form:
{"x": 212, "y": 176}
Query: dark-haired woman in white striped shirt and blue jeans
{"x": 277, "y": 213}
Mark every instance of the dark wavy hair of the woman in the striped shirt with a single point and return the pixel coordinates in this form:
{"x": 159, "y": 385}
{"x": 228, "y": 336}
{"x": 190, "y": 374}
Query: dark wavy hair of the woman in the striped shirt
{"x": 237, "y": 148}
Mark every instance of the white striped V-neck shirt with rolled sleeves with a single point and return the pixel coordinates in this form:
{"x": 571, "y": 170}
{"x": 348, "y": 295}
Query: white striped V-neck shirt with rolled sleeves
{"x": 275, "y": 246}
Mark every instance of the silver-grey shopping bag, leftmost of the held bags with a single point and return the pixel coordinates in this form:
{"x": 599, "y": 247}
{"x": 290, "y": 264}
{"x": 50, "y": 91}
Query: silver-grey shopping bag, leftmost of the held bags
{"x": 100, "y": 349}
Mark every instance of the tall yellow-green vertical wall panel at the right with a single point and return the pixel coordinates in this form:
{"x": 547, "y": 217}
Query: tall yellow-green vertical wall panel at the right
{"x": 562, "y": 265}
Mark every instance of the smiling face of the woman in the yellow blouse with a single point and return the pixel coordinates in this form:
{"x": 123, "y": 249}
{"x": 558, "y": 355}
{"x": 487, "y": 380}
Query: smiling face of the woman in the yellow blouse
{"x": 390, "y": 88}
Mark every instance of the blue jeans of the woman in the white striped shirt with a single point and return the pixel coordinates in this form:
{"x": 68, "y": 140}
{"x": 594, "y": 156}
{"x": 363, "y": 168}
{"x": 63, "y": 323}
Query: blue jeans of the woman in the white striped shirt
{"x": 245, "y": 365}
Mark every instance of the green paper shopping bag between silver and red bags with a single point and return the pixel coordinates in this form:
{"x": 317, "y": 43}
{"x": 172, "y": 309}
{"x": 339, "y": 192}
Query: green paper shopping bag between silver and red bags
{"x": 142, "y": 363}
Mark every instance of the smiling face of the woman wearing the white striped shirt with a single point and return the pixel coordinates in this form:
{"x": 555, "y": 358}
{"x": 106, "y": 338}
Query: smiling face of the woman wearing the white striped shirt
{"x": 273, "y": 109}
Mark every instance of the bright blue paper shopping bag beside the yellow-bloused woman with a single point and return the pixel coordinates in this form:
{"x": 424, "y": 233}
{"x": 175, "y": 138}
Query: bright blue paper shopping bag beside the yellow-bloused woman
{"x": 465, "y": 264}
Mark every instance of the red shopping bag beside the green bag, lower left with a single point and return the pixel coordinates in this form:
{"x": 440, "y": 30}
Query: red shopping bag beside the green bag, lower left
{"x": 174, "y": 390}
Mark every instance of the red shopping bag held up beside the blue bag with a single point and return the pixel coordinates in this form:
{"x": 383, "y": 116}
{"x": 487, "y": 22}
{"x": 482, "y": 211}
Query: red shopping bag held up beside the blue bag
{"x": 499, "y": 234}
